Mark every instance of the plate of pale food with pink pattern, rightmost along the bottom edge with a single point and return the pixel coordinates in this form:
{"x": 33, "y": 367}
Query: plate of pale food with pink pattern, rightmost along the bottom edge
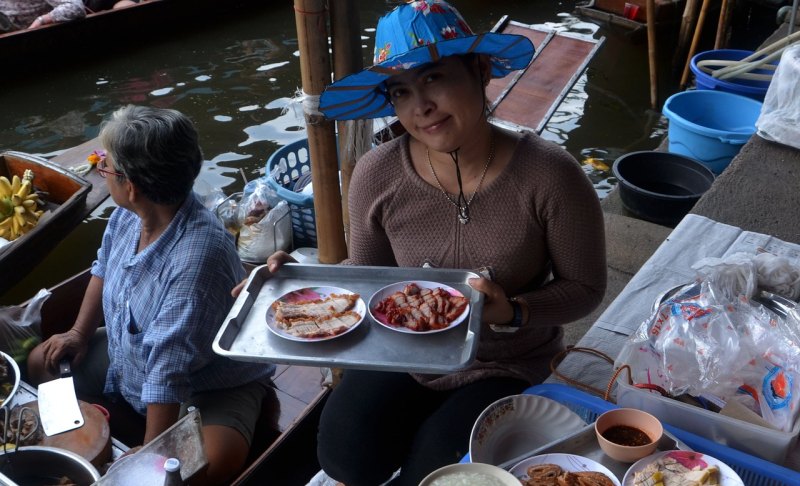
{"x": 681, "y": 467}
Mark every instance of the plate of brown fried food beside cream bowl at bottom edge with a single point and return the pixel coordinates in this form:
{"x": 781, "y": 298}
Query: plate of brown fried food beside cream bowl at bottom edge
{"x": 556, "y": 469}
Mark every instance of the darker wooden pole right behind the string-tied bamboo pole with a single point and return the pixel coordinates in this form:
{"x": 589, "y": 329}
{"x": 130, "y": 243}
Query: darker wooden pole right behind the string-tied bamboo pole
{"x": 346, "y": 39}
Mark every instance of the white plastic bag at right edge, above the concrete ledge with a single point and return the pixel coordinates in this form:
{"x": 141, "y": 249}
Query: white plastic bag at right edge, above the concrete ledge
{"x": 780, "y": 114}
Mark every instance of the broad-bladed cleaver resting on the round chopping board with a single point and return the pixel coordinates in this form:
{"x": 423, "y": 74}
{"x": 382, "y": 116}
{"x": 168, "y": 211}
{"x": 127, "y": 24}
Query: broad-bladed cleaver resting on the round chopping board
{"x": 59, "y": 410}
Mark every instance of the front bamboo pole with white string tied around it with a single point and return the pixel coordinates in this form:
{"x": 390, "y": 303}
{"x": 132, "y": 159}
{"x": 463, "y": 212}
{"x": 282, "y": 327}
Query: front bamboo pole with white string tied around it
{"x": 315, "y": 71}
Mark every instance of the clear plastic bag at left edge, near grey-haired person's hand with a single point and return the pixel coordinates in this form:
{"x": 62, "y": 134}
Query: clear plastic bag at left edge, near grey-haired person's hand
{"x": 20, "y": 327}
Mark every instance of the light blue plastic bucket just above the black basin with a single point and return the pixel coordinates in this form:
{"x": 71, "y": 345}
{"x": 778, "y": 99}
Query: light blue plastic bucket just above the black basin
{"x": 710, "y": 126}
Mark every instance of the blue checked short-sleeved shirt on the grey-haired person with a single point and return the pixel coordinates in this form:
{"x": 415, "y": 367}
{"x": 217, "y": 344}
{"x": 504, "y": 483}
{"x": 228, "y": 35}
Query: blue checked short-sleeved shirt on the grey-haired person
{"x": 164, "y": 305}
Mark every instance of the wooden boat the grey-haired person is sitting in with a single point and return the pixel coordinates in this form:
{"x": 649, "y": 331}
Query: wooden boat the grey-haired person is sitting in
{"x": 289, "y": 415}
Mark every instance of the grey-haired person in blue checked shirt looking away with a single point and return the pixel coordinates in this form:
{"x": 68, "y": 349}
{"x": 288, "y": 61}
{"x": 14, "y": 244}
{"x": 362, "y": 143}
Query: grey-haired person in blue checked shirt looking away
{"x": 161, "y": 285}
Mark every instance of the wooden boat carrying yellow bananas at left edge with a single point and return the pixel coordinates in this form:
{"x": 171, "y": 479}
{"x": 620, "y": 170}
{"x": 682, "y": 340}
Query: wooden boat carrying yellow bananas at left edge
{"x": 64, "y": 194}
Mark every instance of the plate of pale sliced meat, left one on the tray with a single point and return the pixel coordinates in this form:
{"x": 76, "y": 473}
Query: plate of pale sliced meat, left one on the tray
{"x": 313, "y": 314}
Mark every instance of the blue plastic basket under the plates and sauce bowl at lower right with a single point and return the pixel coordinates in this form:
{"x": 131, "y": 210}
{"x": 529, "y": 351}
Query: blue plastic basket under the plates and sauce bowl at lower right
{"x": 753, "y": 470}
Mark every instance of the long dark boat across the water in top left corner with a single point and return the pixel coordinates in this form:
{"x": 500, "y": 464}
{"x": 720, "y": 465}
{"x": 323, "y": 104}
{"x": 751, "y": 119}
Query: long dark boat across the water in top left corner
{"x": 104, "y": 32}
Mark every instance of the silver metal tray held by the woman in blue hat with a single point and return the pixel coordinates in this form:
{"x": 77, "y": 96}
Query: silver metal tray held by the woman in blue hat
{"x": 244, "y": 335}
